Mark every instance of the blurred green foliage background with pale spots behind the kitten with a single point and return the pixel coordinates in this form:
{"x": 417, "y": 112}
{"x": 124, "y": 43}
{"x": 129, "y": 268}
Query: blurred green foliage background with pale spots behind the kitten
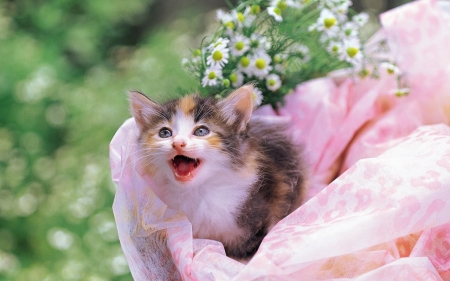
{"x": 65, "y": 67}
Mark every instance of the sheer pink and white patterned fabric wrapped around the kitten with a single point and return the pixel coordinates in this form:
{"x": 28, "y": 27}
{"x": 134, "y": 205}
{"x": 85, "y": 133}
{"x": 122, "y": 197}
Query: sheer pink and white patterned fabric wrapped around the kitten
{"x": 380, "y": 178}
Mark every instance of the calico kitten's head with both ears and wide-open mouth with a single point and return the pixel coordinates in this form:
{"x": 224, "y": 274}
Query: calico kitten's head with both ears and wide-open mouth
{"x": 188, "y": 140}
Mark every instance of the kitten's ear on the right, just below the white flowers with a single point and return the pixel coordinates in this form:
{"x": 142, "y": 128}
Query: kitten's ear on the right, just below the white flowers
{"x": 237, "y": 108}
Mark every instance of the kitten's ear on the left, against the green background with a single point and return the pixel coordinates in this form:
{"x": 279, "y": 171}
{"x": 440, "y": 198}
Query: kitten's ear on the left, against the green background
{"x": 143, "y": 109}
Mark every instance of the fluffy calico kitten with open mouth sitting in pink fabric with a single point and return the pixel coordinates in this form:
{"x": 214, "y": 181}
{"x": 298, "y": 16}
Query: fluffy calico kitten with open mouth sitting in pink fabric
{"x": 233, "y": 176}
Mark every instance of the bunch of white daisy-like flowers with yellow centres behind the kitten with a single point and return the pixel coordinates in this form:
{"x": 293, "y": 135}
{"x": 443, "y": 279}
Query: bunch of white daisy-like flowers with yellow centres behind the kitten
{"x": 279, "y": 44}
